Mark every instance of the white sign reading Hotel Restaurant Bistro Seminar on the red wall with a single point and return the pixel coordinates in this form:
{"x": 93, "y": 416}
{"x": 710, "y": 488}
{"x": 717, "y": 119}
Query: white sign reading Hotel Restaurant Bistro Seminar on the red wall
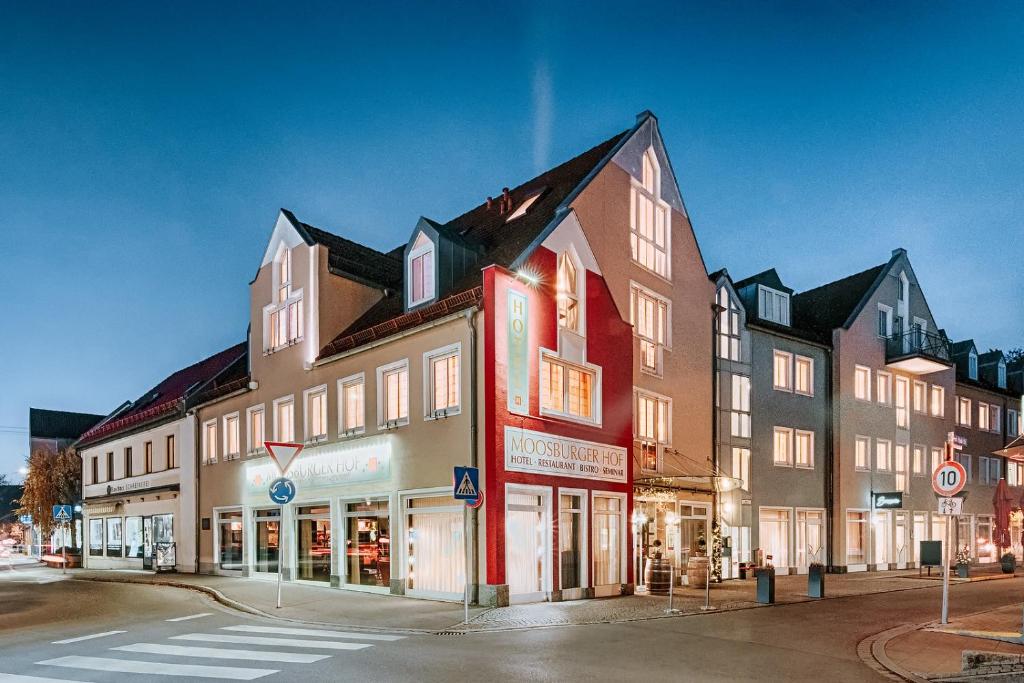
{"x": 528, "y": 451}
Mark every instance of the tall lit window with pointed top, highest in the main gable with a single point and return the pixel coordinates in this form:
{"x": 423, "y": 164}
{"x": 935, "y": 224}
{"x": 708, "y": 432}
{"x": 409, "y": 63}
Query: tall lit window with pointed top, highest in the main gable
{"x": 651, "y": 229}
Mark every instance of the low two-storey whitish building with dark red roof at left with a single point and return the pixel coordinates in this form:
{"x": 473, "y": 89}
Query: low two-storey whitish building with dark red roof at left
{"x": 139, "y": 475}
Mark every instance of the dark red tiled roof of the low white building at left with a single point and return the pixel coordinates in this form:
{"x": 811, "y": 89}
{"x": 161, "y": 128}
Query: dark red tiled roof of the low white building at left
{"x": 167, "y": 397}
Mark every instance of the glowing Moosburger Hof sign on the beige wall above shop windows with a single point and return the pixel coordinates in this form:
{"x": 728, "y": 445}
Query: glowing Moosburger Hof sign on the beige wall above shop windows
{"x": 332, "y": 465}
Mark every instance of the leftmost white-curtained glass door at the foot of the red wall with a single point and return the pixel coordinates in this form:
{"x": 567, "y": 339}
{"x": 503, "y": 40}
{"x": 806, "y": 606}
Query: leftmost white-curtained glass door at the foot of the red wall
{"x": 526, "y": 545}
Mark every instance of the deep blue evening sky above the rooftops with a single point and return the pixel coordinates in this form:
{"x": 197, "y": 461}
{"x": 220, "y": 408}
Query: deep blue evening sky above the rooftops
{"x": 146, "y": 150}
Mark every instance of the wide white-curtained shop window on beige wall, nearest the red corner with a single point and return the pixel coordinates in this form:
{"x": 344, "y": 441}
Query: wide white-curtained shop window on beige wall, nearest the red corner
{"x": 437, "y": 554}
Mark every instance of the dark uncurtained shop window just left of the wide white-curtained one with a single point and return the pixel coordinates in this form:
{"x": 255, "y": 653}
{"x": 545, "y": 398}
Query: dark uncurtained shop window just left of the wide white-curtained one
{"x": 368, "y": 544}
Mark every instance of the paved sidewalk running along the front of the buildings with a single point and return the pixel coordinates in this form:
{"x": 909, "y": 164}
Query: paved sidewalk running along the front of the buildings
{"x": 369, "y": 611}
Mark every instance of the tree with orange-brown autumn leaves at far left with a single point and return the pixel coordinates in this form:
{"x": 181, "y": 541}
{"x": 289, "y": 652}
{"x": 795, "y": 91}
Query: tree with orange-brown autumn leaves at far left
{"x": 54, "y": 479}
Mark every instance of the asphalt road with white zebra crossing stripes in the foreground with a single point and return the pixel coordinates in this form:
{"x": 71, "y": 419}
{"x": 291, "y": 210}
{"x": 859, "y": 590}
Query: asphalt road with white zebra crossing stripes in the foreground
{"x": 83, "y": 631}
